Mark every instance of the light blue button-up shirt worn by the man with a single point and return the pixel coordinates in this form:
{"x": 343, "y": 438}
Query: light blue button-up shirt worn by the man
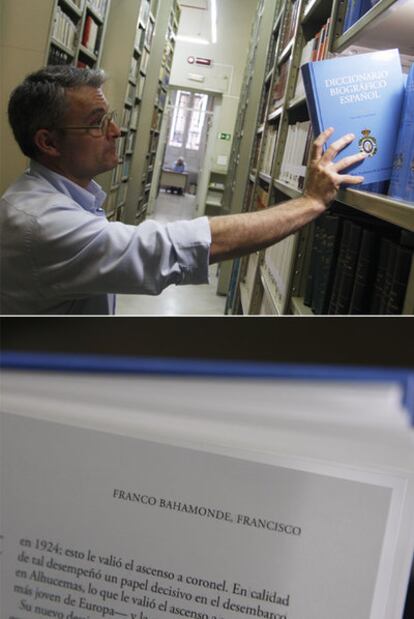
{"x": 60, "y": 255}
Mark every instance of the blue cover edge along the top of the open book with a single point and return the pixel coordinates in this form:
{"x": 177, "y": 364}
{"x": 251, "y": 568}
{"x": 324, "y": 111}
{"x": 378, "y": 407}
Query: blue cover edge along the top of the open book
{"x": 112, "y": 365}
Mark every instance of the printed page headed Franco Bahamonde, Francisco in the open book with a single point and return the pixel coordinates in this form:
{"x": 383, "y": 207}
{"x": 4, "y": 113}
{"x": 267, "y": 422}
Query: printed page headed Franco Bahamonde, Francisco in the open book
{"x": 100, "y": 525}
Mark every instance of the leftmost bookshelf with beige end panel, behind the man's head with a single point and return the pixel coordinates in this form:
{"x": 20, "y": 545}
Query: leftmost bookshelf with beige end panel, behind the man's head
{"x": 34, "y": 34}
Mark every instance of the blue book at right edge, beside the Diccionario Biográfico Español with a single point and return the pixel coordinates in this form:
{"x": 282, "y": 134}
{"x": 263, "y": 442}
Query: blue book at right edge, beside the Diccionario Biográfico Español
{"x": 402, "y": 179}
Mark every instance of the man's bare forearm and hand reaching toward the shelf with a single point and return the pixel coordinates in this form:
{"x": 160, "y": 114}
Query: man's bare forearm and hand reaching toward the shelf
{"x": 240, "y": 234}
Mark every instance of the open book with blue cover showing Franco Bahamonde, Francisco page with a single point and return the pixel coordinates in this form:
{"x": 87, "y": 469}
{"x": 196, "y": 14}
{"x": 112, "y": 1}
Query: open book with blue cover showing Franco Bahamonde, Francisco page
{"x": 148, "y": 489}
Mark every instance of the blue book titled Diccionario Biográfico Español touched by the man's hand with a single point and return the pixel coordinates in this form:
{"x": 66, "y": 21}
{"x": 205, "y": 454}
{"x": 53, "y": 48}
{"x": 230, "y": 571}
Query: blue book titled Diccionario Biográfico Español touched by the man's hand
{"x": 361, "y": 95}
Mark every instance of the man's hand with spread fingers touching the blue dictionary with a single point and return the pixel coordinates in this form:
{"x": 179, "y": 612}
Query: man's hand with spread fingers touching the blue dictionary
{"x": 324, "y": 179}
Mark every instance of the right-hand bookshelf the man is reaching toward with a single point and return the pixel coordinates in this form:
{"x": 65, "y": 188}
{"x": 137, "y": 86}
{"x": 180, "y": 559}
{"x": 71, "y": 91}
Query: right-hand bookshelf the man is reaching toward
{"x": 279, "y": 280}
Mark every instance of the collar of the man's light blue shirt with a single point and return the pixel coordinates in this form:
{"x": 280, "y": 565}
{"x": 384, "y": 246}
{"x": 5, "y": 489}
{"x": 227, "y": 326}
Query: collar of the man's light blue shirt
{"x": 91, "y": 198}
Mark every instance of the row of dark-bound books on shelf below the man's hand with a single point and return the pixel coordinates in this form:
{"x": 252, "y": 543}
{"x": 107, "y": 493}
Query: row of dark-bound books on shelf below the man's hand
{"x": 357, "y": 267}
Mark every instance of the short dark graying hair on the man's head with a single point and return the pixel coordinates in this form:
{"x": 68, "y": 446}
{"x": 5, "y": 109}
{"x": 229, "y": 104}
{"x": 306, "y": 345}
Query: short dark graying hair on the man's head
{"x": 39, "y": 102}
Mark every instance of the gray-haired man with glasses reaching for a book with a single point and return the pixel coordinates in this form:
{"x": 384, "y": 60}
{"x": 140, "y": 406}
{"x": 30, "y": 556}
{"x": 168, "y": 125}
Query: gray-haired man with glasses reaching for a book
{"x": 60, "y": 255}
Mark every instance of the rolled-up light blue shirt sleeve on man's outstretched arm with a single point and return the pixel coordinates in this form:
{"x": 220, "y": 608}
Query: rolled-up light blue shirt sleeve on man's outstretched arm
{"x": 78, "y": 253}
